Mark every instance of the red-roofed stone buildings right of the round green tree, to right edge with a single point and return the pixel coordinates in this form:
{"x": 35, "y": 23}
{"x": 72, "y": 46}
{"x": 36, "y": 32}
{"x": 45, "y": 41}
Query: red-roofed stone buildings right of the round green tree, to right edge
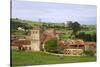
{"x": 77, "y": 47}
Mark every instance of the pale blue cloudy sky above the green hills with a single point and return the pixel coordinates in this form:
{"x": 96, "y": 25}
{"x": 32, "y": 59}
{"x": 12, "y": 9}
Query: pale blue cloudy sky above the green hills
{"x": 53, "y": 12}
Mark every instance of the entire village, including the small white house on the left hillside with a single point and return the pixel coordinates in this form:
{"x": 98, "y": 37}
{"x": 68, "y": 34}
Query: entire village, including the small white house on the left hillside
{"x": 37, "y": 38}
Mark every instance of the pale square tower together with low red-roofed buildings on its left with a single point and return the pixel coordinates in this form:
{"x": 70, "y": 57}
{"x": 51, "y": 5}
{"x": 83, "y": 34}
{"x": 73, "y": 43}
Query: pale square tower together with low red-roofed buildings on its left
{"x": 31, "y": 41}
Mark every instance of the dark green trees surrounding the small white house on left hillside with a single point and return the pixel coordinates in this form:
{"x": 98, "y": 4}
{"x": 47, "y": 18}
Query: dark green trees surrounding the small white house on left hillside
{"x": 16, "y": 23}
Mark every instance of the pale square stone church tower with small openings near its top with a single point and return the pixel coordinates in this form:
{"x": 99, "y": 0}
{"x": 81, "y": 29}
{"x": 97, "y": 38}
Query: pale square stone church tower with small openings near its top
{"x": 35, "y": 40}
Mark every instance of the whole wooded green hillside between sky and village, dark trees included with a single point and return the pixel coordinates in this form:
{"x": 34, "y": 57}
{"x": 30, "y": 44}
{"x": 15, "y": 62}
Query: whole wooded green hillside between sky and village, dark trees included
{"x": 85, "y": 32}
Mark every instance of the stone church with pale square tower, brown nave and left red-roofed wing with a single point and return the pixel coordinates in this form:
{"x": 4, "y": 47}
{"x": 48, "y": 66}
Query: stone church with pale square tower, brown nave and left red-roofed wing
{"x": 35, "y": 40}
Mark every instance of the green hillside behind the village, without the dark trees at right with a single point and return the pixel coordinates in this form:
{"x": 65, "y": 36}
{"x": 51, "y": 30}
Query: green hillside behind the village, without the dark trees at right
{"x": 62, "y": 30}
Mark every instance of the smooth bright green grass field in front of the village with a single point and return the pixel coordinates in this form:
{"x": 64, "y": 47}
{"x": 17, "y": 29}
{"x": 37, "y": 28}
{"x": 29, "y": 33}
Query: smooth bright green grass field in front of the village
{"x": 40, "y": 58}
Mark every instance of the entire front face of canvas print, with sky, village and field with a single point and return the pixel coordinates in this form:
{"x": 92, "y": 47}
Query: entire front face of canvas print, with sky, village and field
{"x": 52, "y": 33}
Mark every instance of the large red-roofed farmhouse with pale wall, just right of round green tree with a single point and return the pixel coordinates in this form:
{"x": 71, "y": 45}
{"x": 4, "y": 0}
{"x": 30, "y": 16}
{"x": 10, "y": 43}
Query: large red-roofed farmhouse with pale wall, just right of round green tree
{"x": 73, "y": 47}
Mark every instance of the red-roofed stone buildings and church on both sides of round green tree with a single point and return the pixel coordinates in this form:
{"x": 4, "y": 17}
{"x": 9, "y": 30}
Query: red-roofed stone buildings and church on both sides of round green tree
{"x": 36, "y": 41}
